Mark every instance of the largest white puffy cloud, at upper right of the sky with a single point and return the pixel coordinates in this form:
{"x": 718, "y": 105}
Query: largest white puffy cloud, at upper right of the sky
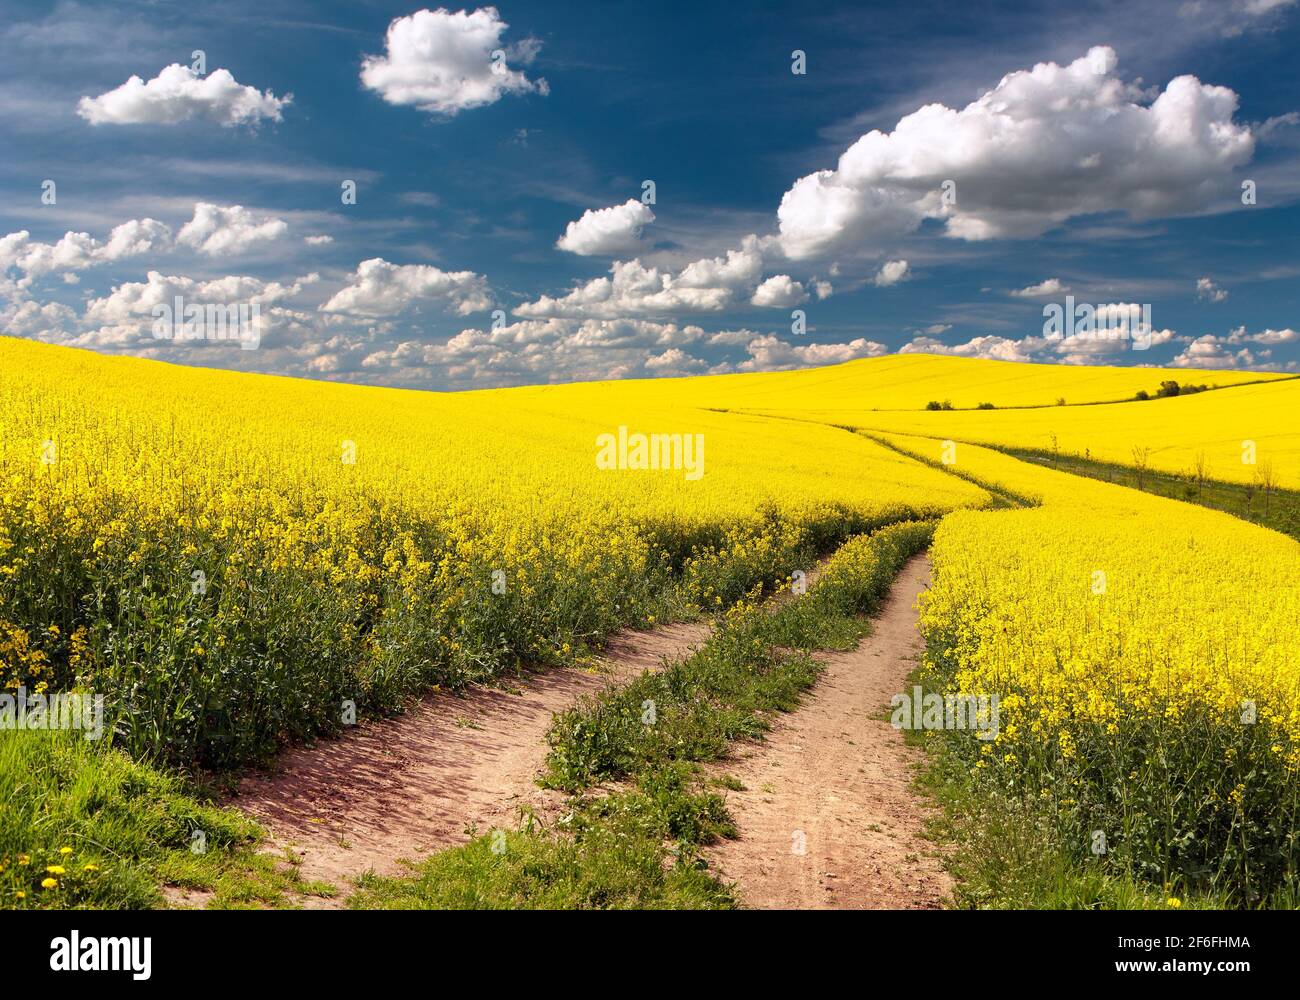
{"x": 1045, "y": 146}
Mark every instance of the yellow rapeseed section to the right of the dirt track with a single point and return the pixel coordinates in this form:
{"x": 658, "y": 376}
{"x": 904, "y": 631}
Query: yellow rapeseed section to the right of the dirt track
{"x": 1147, "y": 660}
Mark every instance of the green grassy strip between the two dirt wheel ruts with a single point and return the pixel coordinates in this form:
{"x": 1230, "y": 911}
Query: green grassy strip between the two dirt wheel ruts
{"x": 640, "y": 845}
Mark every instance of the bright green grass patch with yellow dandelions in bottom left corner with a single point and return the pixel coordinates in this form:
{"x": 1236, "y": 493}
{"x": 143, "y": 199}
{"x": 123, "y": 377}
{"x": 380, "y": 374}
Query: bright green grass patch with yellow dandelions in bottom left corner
{"x": 133, "y": 825}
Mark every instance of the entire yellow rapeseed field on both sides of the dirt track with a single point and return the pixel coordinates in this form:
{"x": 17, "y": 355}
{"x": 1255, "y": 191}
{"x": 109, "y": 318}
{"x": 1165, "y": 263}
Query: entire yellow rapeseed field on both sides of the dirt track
{"x": 239, "y": 561}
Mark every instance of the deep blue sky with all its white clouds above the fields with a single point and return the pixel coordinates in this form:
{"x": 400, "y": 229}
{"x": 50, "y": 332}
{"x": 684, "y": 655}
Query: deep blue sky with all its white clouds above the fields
{"x": 1094, "y": 150}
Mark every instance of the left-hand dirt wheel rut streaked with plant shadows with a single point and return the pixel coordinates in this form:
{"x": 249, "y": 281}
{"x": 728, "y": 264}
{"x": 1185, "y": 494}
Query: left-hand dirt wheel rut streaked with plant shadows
{"x": 410, "y": 786}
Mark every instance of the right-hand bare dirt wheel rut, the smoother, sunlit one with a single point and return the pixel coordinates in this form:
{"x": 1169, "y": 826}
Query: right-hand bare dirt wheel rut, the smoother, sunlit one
{"x": 840, "y": 777}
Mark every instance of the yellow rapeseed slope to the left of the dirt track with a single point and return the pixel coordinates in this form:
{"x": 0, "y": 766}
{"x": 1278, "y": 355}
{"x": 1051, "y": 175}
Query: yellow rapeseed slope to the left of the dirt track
{"x": 237, "y": 556}
